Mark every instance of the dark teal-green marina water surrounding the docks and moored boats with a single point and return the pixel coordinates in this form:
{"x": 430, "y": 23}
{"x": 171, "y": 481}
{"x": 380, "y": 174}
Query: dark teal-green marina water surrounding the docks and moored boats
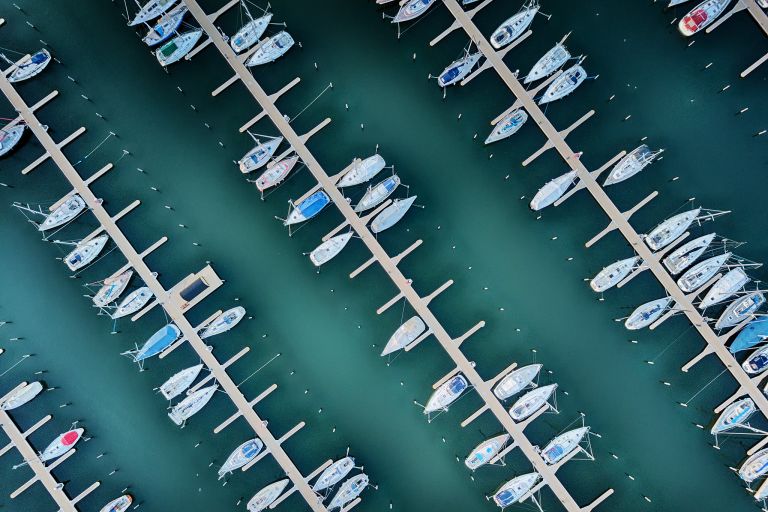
{"x": 475, "y": 229}
